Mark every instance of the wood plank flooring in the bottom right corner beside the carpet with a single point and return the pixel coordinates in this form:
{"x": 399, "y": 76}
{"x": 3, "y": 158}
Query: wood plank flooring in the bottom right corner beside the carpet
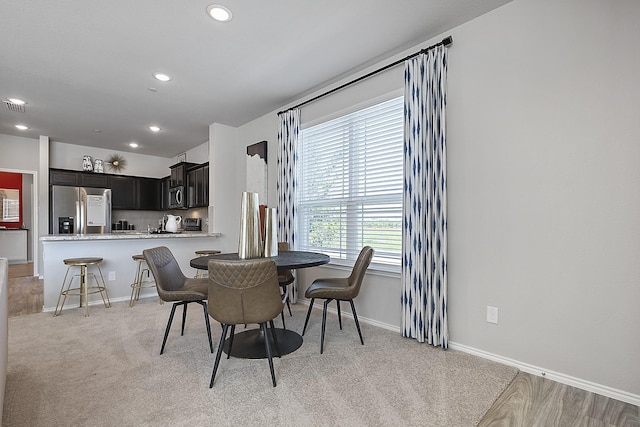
{"x": 534, "y": 401}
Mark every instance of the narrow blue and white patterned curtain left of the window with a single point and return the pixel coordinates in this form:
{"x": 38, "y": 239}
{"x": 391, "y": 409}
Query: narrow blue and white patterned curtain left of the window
{"x": 288, "y": 130}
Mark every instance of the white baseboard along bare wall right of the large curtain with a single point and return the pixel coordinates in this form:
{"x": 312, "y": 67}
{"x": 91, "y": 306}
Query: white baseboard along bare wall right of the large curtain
{"x": 603, "y": 390}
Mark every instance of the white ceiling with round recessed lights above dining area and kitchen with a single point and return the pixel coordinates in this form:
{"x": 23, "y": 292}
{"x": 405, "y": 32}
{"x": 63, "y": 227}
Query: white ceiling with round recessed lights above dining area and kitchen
{"x": 85, "y": 67}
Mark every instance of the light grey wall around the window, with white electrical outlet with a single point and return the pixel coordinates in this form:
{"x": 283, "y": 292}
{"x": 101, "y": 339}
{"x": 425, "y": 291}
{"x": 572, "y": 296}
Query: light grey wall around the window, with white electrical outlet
{"x": 543, "y": 184}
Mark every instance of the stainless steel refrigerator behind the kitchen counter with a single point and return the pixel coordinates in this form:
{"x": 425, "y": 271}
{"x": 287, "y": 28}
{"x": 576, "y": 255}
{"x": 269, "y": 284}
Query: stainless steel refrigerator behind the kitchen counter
{"x": 80, "y": 210}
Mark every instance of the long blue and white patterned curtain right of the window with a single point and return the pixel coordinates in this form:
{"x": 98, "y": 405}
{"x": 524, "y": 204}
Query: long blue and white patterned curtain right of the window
{"x": 424, "y": 231}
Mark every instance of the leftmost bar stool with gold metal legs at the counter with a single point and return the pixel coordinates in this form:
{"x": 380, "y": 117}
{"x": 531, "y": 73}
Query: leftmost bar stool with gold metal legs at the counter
{"x": 83, "y": 290}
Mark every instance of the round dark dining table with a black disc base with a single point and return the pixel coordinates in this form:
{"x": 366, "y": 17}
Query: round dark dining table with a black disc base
{"x": 250, "y": 344}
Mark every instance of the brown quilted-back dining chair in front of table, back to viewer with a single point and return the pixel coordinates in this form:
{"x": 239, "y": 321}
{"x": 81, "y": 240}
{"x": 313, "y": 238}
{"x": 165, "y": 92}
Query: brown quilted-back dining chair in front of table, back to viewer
{"x": 244, "y": 292}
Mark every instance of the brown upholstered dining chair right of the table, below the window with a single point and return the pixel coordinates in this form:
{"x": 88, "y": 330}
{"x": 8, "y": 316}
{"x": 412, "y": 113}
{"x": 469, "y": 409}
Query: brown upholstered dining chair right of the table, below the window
{"x": 339, "y": 289}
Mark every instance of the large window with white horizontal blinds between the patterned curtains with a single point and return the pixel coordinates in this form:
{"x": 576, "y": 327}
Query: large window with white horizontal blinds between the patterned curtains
{"x": 349, "y": 191}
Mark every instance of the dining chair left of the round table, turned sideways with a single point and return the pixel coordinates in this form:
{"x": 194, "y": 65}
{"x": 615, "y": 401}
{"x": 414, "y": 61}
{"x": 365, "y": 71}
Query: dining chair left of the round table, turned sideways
{"x": 174, "y": 286}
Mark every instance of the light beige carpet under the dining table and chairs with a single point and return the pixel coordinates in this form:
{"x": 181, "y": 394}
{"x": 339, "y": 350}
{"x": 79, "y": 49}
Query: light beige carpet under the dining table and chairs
{"x": 105, "y": 370}
